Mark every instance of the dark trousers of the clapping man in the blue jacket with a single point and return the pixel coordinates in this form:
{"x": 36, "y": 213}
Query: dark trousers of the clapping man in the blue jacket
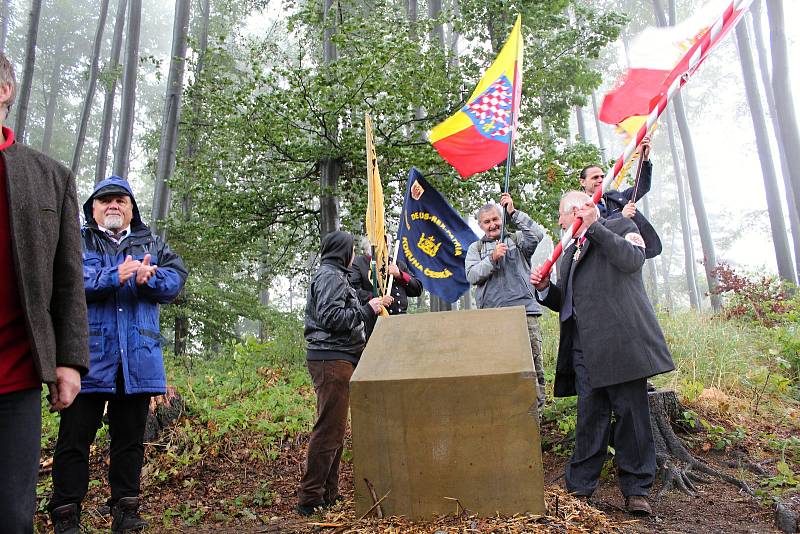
{"x": 127, "y": 415}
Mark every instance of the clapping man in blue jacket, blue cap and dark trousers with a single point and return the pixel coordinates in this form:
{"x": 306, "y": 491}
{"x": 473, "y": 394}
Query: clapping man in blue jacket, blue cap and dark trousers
{"x": 127, "y": 274}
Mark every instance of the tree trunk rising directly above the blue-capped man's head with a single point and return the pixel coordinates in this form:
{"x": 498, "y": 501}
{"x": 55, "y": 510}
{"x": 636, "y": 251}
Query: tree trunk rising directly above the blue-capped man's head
{"x": 127, "y": 110}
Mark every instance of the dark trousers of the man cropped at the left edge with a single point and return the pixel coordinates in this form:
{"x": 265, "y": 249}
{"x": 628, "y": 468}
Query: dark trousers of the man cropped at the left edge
{"x": 21, "y": 429}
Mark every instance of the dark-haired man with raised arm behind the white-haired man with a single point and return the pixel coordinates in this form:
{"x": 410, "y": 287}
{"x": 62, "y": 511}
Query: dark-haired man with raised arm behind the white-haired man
{"x": 614, "y": 204}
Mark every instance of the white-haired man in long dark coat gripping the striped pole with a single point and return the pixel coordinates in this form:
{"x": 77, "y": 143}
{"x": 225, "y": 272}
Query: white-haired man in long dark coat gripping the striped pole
{"x": 606, "y": 351}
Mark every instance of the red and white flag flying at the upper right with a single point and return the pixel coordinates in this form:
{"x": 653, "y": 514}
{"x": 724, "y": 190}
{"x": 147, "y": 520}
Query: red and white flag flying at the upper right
{"x": 659, "y": 55}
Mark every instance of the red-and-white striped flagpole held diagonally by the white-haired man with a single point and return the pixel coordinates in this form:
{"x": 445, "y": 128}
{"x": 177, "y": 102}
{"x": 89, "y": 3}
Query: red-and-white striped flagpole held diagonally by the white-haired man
{"x": 694, "y": 61}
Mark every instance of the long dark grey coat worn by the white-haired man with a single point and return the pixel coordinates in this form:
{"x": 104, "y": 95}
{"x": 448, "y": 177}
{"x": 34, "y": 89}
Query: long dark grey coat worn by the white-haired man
{"x": 620, "y": 336}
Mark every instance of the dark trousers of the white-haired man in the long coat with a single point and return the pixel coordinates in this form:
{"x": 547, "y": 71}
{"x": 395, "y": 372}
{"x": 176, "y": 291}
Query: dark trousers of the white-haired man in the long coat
{"x": 635, "y": 454}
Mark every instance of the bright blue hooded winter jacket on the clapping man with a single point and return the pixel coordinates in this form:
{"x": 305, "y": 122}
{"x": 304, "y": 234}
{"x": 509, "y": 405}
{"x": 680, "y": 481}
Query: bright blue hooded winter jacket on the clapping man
{"x": 124, "y": 320}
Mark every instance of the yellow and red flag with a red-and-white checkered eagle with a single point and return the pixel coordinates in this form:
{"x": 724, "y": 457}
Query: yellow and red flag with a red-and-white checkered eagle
{"x": 477, "y": 137}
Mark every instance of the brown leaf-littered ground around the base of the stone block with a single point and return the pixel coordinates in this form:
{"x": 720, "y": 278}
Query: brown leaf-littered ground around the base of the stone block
{"x": 233, "y": 490}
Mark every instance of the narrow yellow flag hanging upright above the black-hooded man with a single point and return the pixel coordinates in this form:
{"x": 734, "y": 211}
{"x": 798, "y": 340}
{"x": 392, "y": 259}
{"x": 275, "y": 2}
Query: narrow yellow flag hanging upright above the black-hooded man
{"x": 375, "y": 222}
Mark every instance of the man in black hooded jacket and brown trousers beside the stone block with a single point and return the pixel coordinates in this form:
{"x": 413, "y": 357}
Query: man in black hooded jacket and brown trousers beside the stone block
{"x": 335, "y": 324}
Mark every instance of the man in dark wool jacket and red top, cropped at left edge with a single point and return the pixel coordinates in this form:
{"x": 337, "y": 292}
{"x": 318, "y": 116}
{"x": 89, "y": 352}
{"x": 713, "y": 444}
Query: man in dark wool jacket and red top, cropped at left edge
{"x": 42, "y": 308}
